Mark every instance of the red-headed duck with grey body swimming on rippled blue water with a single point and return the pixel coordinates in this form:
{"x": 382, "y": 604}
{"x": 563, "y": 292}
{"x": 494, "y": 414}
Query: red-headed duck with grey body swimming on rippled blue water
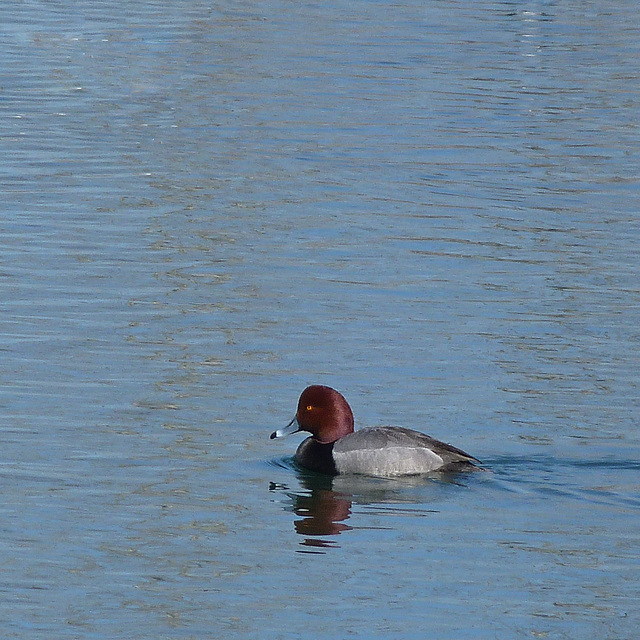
{"x": 335, "y": 448}
